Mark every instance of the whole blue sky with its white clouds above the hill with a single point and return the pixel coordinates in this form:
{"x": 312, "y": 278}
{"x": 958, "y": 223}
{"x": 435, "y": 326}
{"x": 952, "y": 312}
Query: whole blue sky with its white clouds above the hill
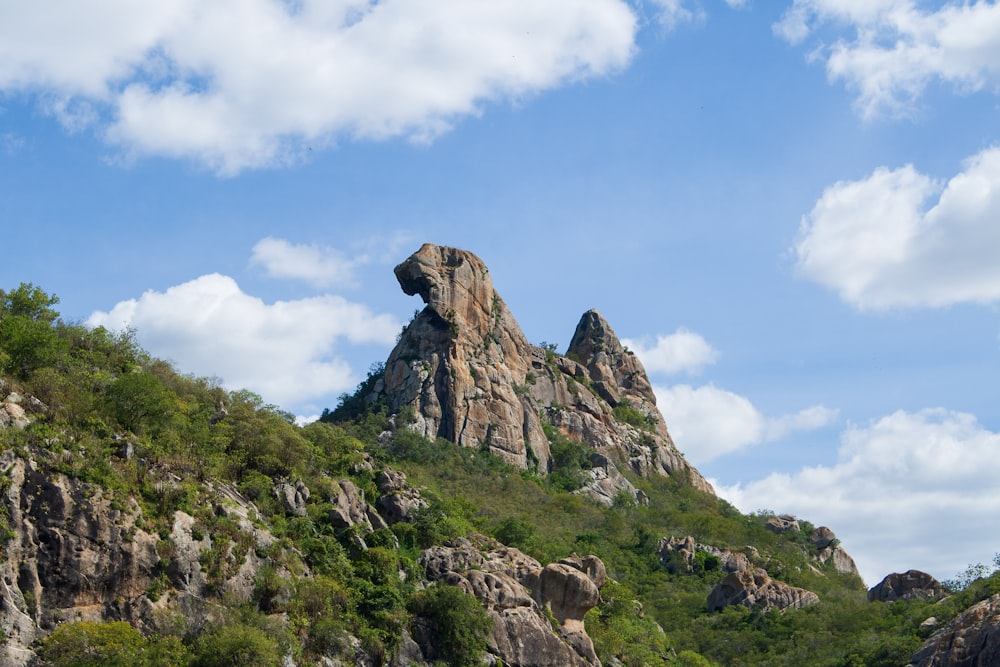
{"x": 789, "y": 209}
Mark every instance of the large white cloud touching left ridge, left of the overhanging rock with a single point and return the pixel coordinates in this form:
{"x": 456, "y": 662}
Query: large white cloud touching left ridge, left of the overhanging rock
{"x": 285, "y": 351}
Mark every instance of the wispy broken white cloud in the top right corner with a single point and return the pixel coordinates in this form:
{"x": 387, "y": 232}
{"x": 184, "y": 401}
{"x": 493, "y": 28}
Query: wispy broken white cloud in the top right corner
{"x": 898, "y": 47}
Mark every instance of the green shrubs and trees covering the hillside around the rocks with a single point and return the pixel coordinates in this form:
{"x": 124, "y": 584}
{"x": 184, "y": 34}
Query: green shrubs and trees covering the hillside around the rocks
{"x": 98, "y": 391}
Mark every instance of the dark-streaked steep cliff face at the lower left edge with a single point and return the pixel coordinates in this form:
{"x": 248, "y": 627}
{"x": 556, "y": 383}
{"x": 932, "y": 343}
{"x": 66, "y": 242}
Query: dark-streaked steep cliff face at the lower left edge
{"x": 79, "y": 553}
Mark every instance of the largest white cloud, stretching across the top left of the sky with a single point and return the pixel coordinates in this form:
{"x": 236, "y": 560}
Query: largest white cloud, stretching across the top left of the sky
{"x": 251, "y": 83}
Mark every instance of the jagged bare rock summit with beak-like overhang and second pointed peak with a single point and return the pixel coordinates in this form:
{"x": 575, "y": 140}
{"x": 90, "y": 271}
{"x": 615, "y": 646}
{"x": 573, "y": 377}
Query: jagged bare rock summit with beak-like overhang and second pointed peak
{"x": 465, "y": 367}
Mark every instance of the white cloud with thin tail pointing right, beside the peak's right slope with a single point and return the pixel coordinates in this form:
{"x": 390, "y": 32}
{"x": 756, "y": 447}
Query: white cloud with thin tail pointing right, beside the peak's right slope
{"x": 707, "y": 422}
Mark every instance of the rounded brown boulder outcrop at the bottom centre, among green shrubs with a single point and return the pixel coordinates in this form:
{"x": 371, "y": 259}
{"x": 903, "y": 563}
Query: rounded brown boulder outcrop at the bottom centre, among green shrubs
{"x": 515, "y": 589}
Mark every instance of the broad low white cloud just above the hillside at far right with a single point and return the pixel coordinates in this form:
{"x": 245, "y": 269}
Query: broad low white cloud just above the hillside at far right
{"x": 910, "y": 490}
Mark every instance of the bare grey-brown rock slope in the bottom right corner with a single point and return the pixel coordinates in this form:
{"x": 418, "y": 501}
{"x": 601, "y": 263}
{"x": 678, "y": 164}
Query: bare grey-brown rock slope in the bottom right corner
{"x": 972, "y": 639}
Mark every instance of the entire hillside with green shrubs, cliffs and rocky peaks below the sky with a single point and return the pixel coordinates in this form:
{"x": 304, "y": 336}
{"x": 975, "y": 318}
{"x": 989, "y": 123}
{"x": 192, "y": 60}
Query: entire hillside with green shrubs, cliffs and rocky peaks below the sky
{"x": 478, "y": 500}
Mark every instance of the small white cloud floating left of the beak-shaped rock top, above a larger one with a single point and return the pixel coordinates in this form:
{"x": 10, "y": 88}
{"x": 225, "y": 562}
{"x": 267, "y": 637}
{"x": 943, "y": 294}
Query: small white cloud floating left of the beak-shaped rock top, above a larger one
{"x": 318, "y": 265}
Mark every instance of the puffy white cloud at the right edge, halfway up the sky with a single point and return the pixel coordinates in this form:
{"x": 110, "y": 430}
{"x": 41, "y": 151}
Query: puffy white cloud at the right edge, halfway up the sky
{"x": 901, "y": 238}
